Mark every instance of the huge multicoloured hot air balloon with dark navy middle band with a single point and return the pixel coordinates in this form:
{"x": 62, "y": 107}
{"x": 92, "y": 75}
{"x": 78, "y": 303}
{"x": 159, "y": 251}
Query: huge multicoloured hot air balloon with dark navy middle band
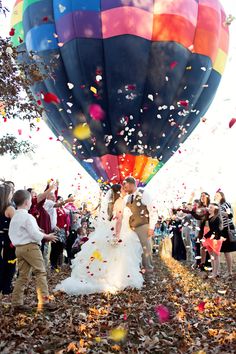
{"x": 131, "y": 79}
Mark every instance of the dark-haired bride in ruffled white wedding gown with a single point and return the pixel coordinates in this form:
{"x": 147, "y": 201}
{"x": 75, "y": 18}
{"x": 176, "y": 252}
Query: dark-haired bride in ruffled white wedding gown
{"x": 110, "y": 261}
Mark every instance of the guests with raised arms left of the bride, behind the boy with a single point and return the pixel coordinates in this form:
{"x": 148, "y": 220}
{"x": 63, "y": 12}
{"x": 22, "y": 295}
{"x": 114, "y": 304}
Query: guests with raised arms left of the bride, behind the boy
{"x": 60, "y": 221}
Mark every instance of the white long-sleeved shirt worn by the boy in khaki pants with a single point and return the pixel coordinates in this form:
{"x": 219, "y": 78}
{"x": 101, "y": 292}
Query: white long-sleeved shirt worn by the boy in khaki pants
{"x": 24, "y": 229}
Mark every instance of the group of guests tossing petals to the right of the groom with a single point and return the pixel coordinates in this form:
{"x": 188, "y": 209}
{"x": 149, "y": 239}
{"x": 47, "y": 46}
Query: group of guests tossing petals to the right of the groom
{"x": 200, "y": 231}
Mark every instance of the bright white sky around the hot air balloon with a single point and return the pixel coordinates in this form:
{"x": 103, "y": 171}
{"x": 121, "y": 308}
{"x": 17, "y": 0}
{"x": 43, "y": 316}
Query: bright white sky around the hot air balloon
{"x": 206, "y": 163}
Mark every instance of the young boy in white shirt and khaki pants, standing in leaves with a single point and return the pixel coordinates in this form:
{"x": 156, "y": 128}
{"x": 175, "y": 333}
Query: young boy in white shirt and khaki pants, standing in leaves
{"x": 26, "y": 236}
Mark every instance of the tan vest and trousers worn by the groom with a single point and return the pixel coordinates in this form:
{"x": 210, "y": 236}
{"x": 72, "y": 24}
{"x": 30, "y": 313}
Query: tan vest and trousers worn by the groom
{"x": 139, "y": 222}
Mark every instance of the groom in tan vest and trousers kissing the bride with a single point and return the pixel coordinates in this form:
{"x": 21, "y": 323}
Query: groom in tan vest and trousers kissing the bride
{"x": 142, "y": 220}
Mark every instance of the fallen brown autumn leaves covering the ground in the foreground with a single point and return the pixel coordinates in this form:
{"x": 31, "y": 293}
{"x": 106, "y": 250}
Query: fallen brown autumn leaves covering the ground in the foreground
{"x": 178, "y": 312}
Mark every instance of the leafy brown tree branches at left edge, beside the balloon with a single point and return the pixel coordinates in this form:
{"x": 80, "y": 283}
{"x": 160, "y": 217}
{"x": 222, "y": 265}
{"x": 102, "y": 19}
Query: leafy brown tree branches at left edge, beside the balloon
{"x": 16, "y": 100}
